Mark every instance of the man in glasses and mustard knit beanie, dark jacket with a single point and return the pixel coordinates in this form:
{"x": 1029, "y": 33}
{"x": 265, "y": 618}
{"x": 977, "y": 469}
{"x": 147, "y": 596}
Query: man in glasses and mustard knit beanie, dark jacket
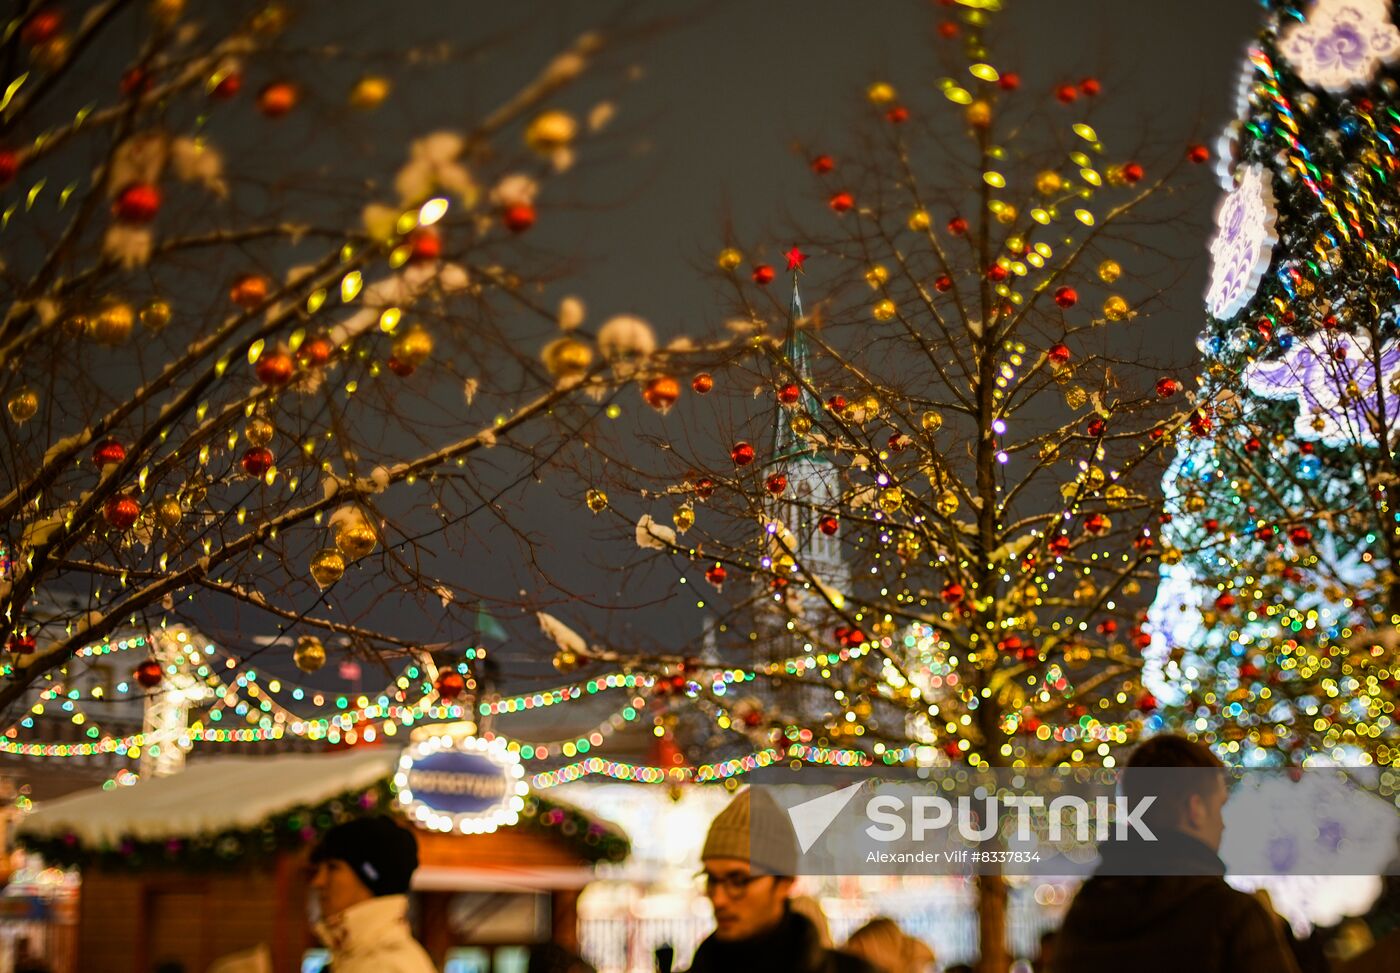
{"x": 750, "y": 860}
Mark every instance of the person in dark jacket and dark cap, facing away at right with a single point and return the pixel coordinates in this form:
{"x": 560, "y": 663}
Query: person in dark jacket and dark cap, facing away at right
{"x": 1164, "y": 906}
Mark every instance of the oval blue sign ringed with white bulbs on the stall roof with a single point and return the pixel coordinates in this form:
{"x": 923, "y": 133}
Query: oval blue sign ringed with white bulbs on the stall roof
{"x": 461, "y": 785}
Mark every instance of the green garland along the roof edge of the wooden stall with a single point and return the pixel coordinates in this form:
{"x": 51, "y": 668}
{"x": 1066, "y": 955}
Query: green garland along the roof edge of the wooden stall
{"x": 300, "y": 828}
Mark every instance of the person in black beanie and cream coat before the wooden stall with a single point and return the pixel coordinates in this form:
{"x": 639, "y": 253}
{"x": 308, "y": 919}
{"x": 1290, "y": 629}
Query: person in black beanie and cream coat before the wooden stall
{"x": 362, "y": 880}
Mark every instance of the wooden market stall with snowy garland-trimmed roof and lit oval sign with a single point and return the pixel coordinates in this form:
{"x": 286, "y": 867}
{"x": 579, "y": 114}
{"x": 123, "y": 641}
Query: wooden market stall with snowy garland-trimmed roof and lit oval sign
{"x": 211, "y": 862}
